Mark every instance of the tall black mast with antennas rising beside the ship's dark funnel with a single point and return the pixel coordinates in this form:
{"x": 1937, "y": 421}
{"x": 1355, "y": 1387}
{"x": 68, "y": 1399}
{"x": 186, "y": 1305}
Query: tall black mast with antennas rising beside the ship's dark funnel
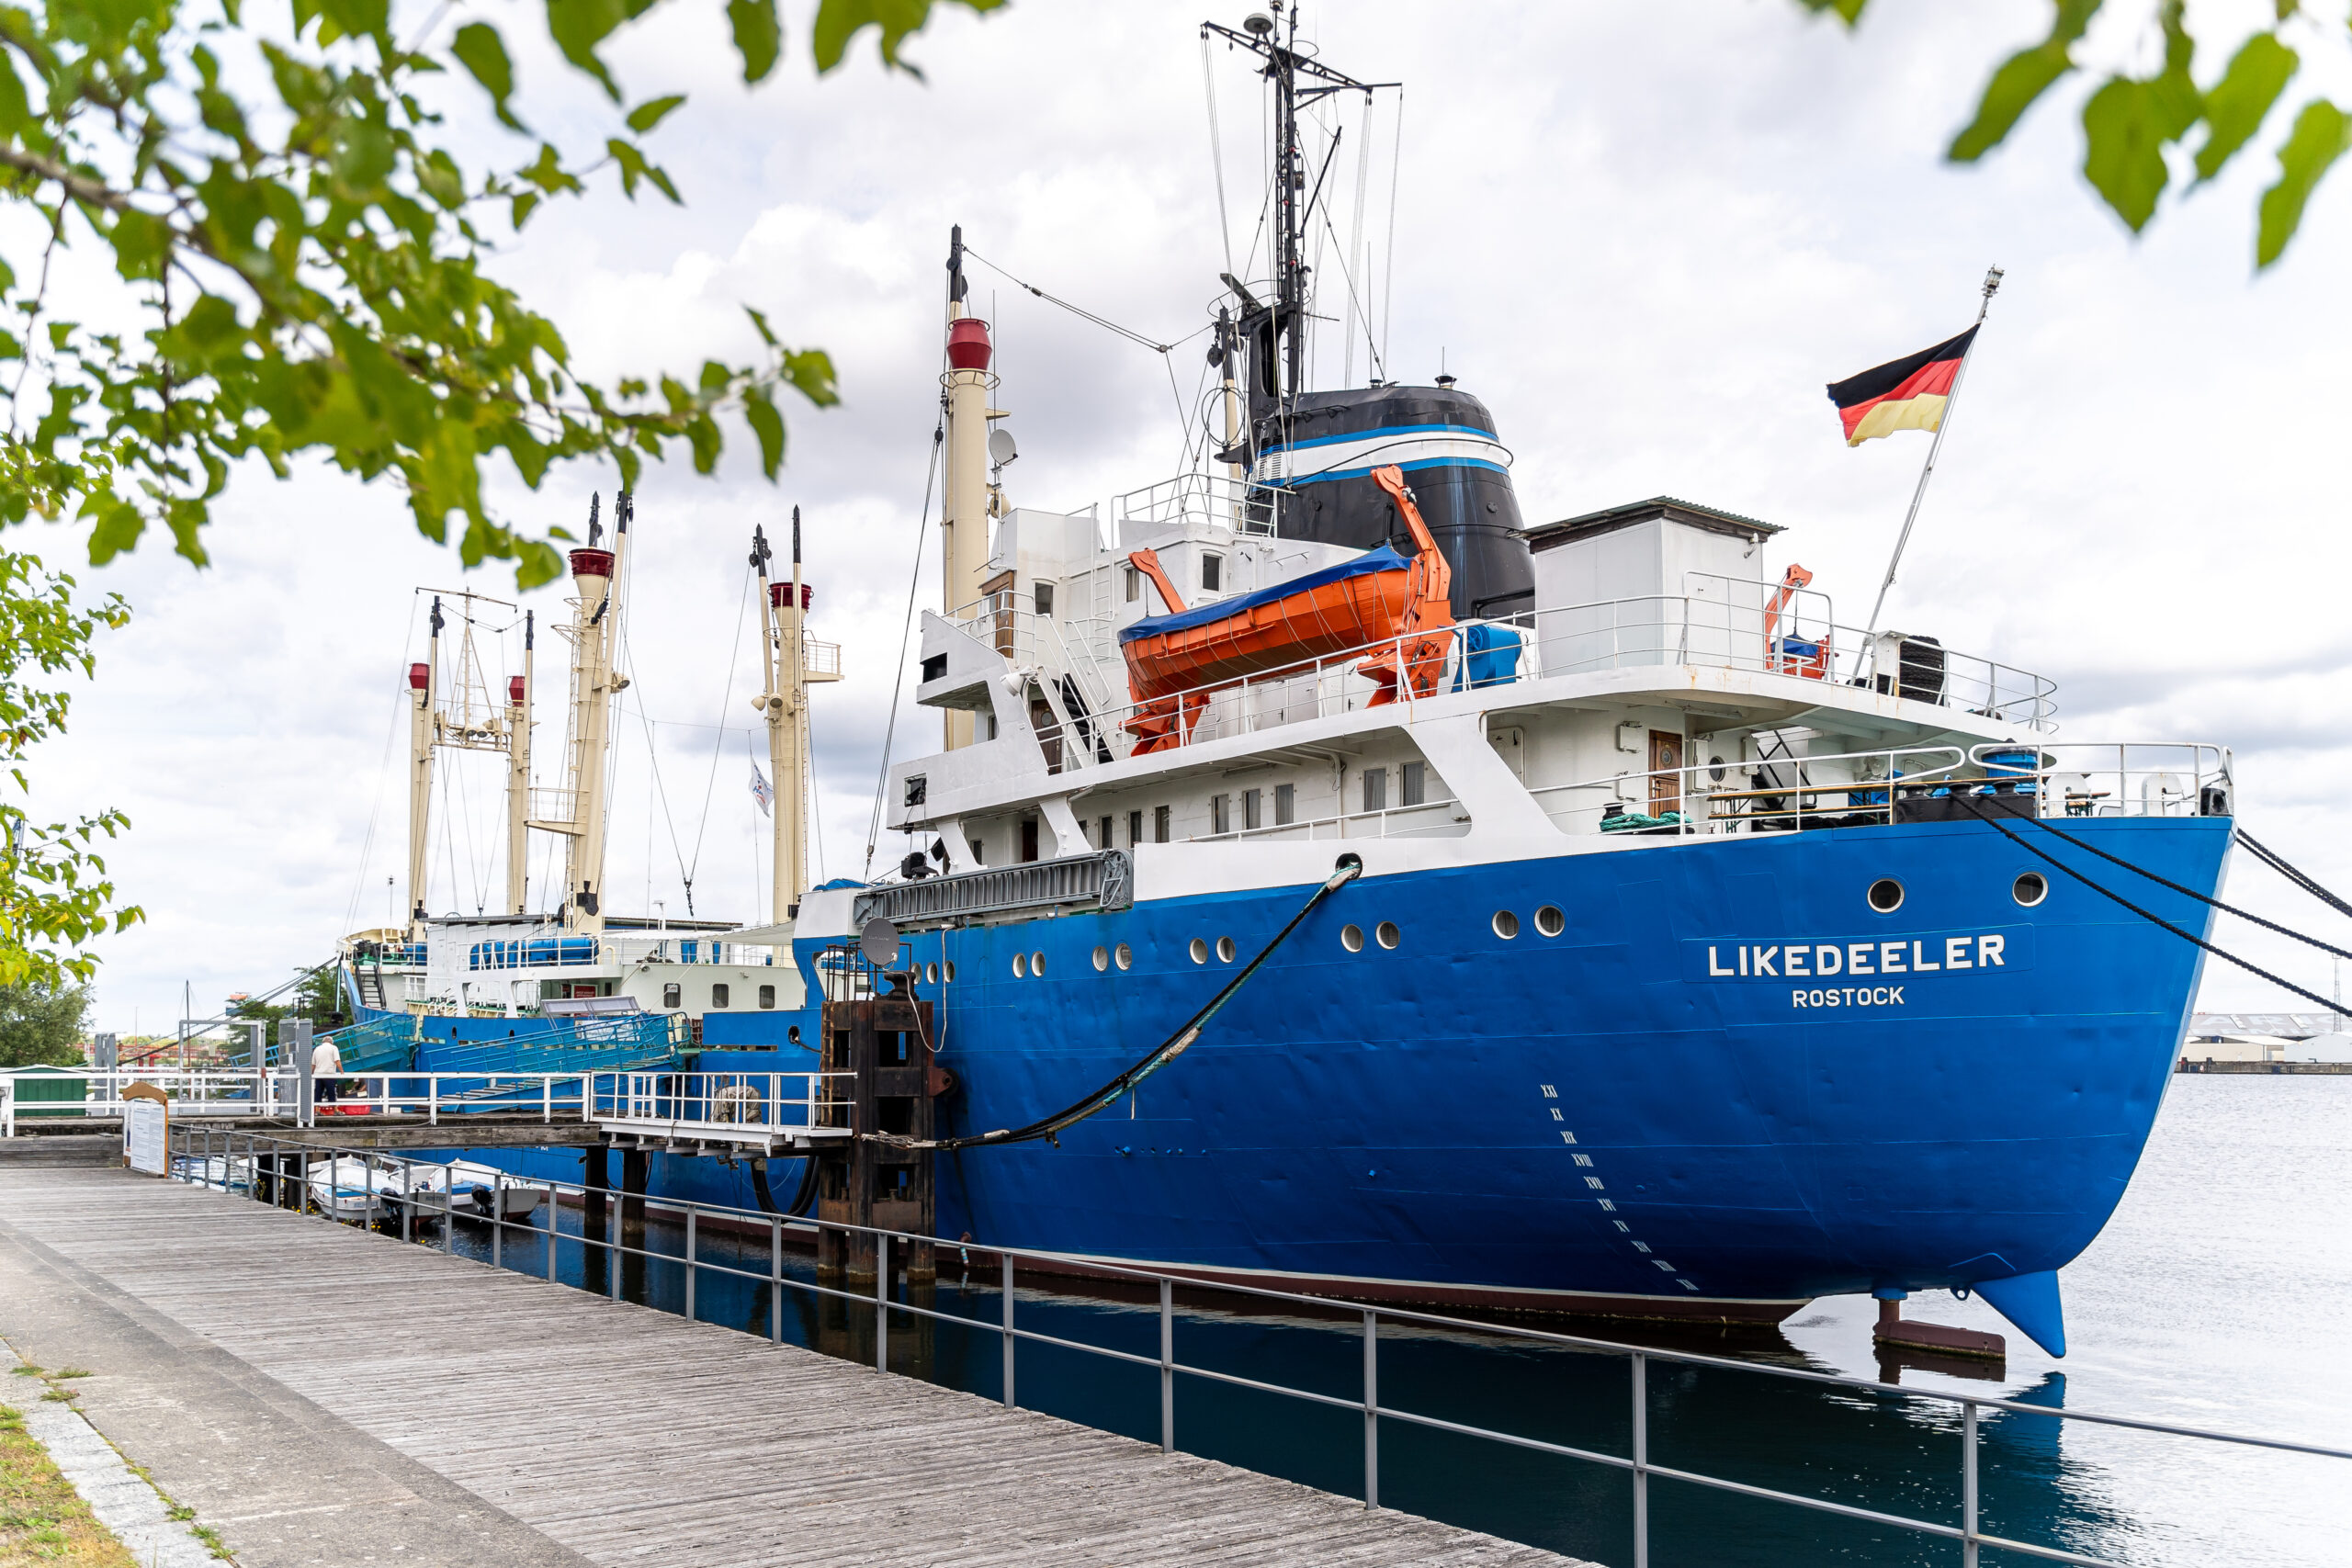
{"x": 1276, "y": 330}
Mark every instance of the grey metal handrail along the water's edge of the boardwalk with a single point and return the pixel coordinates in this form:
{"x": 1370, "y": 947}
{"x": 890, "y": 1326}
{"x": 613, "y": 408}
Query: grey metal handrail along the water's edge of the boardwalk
{"x": 215, "y": 1165}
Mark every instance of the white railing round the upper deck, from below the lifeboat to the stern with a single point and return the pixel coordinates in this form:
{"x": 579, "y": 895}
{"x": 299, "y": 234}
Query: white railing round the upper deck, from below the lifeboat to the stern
{"x": 1596, "y": 638}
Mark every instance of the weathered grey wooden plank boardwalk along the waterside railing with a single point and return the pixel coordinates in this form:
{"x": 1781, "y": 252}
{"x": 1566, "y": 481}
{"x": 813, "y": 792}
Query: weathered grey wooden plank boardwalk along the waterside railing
{"x": 639, "y": 1438}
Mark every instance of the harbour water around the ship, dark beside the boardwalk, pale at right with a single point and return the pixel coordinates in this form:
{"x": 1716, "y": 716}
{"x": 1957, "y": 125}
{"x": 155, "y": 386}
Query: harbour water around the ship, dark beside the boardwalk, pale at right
{"x": 2219, "y": 1296}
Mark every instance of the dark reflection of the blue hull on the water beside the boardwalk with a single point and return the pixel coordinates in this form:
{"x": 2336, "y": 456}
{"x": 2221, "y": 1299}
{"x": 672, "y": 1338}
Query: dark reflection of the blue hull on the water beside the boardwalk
{"x": 1897, "y": 1454}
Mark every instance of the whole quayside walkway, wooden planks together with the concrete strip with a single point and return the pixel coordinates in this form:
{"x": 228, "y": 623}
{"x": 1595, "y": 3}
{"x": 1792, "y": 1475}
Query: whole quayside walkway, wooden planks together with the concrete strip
{"x": 333, "y": 1398}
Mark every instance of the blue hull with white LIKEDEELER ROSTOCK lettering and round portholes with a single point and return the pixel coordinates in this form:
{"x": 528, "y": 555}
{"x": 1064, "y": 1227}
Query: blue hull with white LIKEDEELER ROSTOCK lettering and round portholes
{"x": 1643, "y": 1115}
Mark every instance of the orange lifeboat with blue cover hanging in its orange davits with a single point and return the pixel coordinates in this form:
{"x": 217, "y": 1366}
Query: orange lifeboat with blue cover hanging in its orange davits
{"x": 1379, "y": 598}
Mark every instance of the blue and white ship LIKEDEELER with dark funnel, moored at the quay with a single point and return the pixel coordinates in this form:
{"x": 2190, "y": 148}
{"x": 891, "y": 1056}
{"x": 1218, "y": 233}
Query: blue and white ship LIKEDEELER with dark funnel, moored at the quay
{"x": 1530, "y": 916}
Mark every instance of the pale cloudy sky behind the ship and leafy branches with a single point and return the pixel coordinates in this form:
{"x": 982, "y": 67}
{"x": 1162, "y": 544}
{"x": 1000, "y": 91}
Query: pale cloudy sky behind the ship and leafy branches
{"x": 1645, "y": 236}
